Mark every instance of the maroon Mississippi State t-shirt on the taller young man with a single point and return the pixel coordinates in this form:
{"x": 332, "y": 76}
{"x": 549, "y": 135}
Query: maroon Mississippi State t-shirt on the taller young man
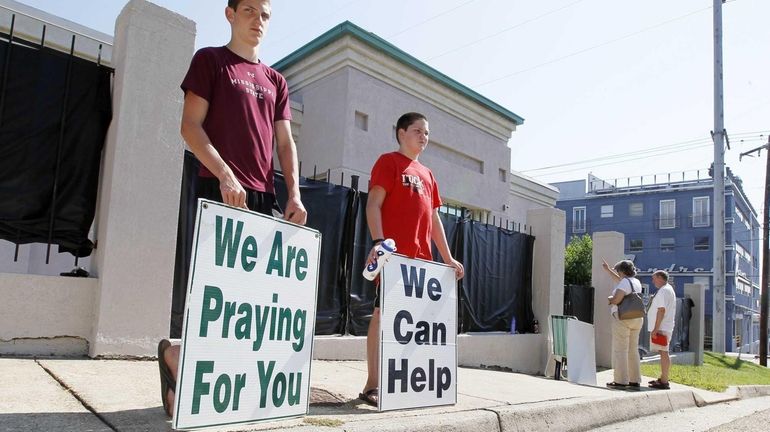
{"x": 245, "y": 99}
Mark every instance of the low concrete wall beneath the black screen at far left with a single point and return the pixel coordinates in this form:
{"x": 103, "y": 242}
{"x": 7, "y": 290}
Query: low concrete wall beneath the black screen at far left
{"x": 45, "y": 315}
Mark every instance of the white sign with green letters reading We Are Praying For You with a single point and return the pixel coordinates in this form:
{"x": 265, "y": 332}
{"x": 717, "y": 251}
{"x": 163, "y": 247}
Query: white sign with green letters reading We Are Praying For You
{"x": 249, "y": 319}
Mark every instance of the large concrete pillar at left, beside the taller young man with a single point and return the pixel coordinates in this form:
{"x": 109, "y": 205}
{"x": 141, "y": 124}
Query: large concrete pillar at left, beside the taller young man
{"x": 138, "y": 213}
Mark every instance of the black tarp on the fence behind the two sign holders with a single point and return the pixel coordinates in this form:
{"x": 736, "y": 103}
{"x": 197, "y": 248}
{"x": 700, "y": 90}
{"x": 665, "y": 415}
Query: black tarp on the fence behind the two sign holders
{"x": 498, "y": 262}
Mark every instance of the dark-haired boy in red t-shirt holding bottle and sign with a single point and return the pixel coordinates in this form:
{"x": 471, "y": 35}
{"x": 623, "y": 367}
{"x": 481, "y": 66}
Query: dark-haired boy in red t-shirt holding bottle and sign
{"x": 403, "y": 205}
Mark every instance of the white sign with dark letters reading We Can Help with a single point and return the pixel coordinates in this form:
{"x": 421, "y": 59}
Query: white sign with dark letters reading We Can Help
{"x": 418, "y": 334}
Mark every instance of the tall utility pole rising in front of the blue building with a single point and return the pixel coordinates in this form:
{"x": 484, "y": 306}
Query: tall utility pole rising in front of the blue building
{"x": 718, "y": 278}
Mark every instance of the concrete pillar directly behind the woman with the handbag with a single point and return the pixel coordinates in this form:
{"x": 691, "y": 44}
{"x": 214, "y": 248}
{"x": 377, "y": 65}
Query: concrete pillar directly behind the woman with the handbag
{"x": 608, "y": 246}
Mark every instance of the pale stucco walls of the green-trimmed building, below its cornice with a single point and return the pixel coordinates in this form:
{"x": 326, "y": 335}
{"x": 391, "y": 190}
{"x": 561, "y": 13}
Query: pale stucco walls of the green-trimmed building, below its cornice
{"x": 335, "y": 99}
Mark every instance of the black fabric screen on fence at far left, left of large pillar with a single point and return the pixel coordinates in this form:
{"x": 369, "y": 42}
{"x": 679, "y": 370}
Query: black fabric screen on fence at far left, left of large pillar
{"x": 40, "y": 154}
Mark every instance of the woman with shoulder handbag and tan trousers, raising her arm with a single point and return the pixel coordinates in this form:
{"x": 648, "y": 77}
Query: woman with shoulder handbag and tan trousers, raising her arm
{"x": 627, "y": 319}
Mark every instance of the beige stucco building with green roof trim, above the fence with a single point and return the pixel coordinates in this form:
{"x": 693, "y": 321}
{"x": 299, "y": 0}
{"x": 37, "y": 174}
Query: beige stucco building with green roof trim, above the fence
{"x": 348, "y": 87}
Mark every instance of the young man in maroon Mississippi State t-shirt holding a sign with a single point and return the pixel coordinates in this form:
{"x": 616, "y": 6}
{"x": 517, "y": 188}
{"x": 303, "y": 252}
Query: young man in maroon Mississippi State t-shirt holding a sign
{"x": 234, "y": 107}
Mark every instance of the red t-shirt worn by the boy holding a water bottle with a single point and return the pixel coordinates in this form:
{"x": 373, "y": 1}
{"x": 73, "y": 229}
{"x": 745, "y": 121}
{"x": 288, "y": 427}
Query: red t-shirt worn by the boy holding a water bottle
{"x": 407, "y": 211}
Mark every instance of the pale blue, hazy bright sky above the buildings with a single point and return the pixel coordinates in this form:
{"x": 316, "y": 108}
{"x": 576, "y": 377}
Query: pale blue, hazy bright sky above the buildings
{"x": 616, "y": 88}
